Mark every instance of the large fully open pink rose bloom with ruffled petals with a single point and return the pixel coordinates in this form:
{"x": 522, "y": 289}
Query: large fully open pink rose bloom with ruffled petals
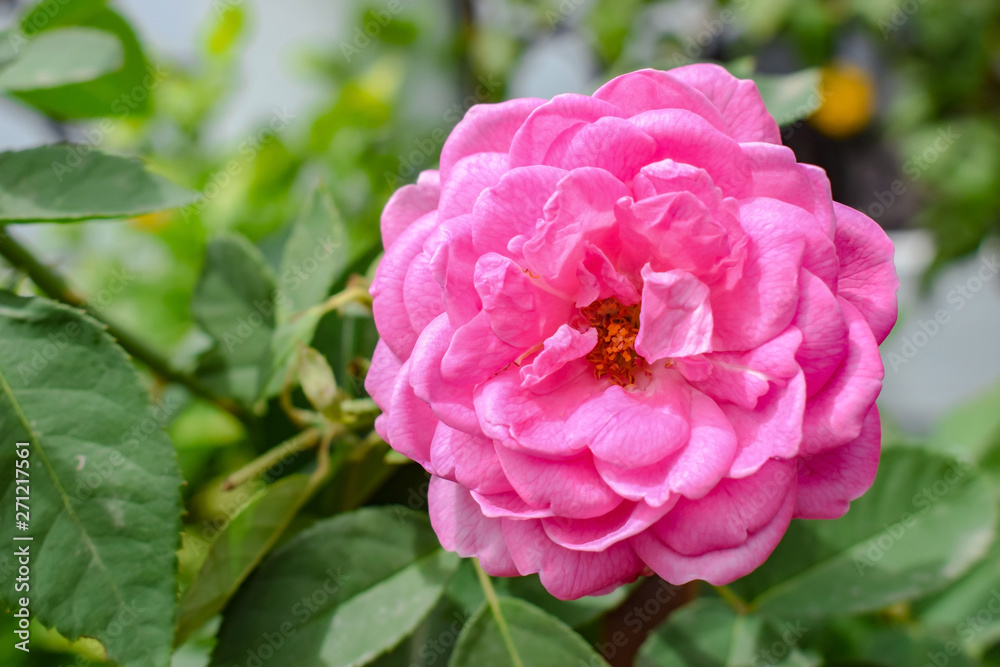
{"x": 628, "y": 332}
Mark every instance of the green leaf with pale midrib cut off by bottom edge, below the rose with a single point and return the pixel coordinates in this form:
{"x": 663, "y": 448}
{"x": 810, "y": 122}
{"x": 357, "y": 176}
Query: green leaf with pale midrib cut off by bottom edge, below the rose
{"x": 539, "y": 640}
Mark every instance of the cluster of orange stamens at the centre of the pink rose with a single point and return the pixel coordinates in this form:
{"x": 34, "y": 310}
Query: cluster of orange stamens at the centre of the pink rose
{"x": 614, "y": 356}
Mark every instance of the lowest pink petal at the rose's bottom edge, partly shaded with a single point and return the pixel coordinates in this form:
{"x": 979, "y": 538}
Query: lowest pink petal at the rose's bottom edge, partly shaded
{"x": 565, "y": 573}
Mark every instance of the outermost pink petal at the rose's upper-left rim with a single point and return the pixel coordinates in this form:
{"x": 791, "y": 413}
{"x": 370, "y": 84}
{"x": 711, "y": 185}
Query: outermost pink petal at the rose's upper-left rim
{"x": 485, "y": 128}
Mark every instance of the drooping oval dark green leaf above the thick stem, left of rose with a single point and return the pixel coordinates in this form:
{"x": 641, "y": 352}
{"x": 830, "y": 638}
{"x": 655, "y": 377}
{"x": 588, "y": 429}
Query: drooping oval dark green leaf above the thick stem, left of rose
{"x": 235, "y": 302}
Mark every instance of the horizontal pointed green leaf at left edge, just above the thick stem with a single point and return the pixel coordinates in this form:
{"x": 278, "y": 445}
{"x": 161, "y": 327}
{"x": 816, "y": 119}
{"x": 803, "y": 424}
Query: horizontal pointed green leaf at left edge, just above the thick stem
{"x": 66, "y": 183}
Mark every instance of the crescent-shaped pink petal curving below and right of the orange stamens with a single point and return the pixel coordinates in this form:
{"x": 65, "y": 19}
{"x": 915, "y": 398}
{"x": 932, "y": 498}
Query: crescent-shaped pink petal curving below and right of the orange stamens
{"x": 691, "y": 472}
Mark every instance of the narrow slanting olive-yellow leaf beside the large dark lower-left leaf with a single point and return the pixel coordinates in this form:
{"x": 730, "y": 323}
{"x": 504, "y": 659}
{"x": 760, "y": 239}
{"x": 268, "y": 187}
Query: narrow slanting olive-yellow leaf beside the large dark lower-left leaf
{"x": 238, "y": 550}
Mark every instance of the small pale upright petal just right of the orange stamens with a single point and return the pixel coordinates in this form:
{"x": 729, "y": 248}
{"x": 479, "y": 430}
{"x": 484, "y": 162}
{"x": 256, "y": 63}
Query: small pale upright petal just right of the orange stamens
{"x": 676, "y": 316}
